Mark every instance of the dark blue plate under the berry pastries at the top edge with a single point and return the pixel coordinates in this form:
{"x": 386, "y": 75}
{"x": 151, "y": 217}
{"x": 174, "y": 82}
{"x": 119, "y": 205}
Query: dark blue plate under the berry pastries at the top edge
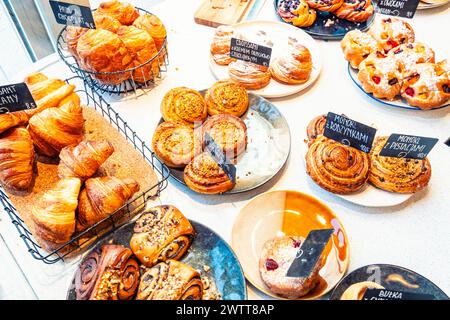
{"x": 337, "y": 27}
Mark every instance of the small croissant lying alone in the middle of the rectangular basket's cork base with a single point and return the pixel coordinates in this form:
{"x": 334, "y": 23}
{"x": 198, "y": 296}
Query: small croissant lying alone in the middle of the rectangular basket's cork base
{"x": 83, "y": 160}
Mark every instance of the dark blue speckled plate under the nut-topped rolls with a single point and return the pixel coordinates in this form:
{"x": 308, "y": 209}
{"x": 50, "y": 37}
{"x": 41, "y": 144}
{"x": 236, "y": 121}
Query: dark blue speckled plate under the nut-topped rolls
{"x": 207, "y": 249}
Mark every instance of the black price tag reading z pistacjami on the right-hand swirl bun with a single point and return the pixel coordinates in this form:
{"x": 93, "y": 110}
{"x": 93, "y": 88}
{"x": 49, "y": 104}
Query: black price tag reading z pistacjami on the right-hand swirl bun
{"x": 405, "y": 146}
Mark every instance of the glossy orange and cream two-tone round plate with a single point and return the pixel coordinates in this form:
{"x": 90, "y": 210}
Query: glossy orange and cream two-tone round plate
{"x": 279, "y": 213}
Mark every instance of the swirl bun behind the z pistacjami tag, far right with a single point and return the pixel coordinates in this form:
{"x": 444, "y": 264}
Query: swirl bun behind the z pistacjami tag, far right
{"x": 399, "y": 175}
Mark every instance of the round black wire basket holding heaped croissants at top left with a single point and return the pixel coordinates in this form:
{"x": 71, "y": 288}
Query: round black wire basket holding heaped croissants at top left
{"x": 159, "y": 64}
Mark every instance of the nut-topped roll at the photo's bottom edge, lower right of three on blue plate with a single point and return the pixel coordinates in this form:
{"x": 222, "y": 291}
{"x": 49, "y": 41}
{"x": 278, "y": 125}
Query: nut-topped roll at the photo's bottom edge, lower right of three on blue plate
{"x": 170, "y": 280}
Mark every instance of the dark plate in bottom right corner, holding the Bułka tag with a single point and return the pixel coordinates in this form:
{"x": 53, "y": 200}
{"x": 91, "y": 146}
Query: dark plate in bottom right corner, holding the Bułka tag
{"x": 390, "y": 277}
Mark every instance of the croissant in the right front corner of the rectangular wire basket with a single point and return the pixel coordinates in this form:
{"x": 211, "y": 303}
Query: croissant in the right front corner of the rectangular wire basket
{"x": 101, "y": 197}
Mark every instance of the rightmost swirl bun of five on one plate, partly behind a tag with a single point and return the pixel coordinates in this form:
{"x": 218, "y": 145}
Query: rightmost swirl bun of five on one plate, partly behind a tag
{"x": 228, "y": 132}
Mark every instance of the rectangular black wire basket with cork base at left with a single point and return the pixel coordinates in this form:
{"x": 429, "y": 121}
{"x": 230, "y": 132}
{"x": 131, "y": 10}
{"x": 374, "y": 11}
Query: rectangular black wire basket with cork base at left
{"x": 85, "y": 239}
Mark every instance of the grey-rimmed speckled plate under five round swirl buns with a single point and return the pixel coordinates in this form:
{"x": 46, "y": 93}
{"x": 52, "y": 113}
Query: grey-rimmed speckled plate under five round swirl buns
{"x": 268, "y": 146}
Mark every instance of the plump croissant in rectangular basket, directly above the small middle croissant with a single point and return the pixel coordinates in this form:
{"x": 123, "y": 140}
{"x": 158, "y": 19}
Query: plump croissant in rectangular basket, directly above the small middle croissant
{"x": 56, "y": 128}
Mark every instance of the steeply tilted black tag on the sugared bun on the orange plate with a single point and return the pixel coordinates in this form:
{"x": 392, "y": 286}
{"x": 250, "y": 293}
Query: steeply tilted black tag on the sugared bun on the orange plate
{"x": 309, "y": 253}
